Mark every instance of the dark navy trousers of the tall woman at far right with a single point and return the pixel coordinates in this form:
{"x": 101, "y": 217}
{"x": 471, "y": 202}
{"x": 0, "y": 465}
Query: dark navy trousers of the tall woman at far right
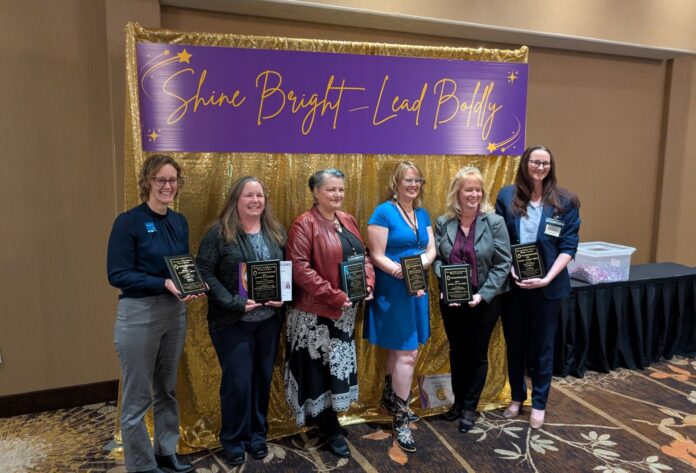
{"x": 529, "y": 325}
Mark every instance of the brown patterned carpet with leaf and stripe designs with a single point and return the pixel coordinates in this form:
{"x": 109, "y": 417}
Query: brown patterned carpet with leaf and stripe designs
{"x": 625, "y": 421}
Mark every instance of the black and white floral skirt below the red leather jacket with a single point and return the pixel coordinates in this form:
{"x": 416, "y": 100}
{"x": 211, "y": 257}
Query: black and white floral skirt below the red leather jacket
{"x": 320, "y": 365}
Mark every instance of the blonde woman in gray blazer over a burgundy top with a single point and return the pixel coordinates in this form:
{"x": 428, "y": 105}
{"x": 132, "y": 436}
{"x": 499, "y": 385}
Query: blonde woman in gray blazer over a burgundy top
{"x": 470, "y": 233}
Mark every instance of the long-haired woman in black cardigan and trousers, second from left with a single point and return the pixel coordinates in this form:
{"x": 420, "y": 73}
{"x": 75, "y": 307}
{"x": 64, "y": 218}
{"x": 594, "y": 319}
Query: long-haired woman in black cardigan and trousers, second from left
{"x": 244, "y": 333}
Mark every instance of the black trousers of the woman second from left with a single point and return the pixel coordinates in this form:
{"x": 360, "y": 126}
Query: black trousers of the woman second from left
{"x": 247, "y": 352}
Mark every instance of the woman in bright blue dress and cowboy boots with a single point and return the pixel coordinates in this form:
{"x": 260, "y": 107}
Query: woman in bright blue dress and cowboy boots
{"x": 396, "y": 320}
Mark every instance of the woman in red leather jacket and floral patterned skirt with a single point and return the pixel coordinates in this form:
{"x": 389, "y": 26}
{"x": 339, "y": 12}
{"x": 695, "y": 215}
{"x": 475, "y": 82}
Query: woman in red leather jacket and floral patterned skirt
{"x": 320, "y": 364}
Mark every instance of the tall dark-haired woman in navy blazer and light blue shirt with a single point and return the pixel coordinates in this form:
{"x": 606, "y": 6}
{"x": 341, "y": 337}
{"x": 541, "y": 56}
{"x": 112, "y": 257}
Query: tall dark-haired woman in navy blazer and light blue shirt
{"x": 536, "y": 210}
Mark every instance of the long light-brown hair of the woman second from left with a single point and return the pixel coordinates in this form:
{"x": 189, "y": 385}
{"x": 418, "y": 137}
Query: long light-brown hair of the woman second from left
{"x": 229, "y": 216}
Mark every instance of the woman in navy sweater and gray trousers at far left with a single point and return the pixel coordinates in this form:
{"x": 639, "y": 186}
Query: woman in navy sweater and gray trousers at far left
{"x": 151, "y": 319}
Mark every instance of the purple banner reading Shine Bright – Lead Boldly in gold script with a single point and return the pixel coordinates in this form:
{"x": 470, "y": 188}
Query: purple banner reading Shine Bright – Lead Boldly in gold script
{"x": 220, "y": 99}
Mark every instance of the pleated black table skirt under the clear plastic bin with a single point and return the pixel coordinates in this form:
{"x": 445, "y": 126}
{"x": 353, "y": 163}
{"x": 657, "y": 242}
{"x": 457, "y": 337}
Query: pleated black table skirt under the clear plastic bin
{"x": 628, "y": 324}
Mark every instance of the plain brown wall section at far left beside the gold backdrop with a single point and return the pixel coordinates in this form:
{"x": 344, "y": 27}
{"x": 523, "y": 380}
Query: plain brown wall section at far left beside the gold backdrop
{"x": 59, "y": 192}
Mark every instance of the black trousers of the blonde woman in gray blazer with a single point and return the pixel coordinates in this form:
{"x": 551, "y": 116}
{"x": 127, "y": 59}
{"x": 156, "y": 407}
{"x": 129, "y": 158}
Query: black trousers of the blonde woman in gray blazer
{"x": 468, "y": 332}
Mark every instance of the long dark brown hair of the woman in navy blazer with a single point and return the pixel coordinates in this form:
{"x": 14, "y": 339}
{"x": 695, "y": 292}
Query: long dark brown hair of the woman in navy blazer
{"x": 551, "y": 194}
